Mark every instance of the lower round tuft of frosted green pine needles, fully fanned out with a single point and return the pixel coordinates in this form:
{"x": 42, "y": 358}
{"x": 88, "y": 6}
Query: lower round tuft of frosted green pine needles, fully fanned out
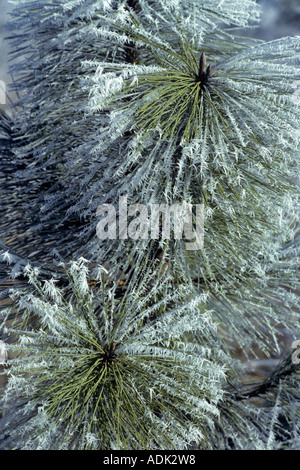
{"x": 108, "y": 372}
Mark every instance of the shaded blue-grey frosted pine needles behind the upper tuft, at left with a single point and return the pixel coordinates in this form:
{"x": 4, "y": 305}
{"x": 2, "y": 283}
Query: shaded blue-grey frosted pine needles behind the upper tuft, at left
{"x": 75, "y": 168}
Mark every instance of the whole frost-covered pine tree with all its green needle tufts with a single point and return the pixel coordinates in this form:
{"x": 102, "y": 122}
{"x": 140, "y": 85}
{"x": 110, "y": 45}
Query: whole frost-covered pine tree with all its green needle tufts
{"x": 128, "y": 342}
